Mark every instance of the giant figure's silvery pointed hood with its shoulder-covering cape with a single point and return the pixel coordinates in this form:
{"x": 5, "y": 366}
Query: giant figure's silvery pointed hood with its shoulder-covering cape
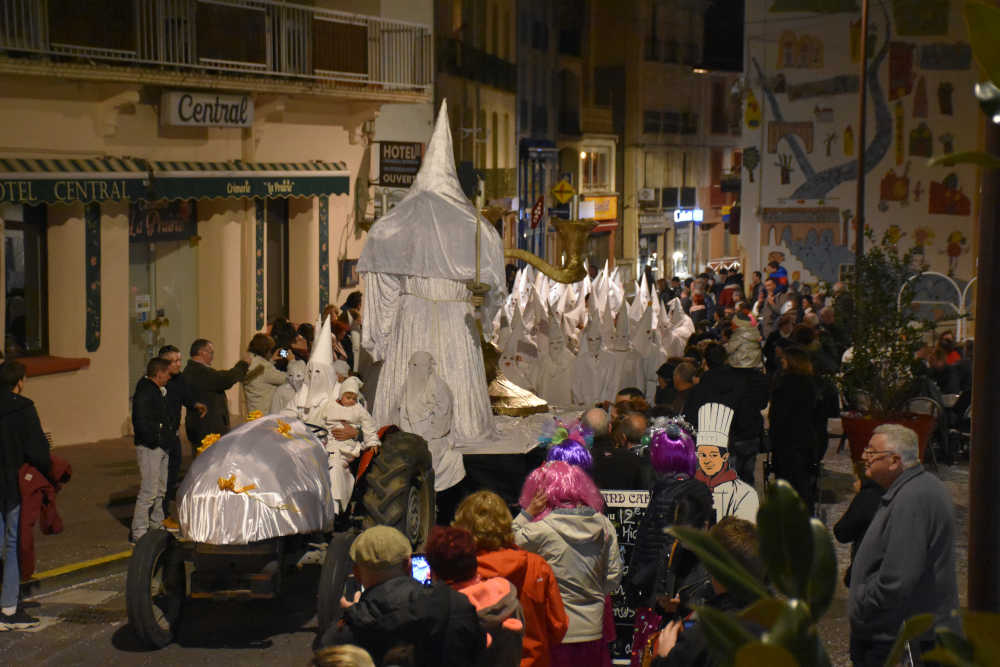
{"x": 432, "y": 231}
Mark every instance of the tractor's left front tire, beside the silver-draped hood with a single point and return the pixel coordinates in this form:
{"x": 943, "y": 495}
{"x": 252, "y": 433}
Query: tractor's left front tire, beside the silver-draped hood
{"x": 155, "y": 588}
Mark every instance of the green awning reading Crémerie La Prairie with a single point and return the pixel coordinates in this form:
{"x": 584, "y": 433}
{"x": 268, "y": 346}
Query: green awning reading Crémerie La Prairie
{"x": 197, "y": 180}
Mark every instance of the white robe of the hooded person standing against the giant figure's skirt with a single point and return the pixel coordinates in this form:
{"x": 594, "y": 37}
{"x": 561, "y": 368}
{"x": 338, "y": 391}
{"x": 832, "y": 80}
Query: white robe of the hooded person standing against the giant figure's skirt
{"x": 429, "y": 415}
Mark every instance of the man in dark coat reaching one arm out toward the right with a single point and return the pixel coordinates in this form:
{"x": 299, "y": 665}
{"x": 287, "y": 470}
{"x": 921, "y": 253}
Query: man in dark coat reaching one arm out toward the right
{"x": 209, "y": 386}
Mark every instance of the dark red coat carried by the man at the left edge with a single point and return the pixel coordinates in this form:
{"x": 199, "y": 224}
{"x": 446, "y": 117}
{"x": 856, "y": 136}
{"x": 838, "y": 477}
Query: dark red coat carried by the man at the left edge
{"x": 38, "y": 502}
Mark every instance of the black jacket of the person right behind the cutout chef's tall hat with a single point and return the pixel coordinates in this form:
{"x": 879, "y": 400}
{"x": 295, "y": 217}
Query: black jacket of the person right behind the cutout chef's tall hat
{"x": 742, "y": 389}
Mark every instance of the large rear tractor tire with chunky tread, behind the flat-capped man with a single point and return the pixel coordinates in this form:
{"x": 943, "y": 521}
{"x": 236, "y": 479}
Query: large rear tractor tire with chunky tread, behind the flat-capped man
{"x": 399, "y": 489}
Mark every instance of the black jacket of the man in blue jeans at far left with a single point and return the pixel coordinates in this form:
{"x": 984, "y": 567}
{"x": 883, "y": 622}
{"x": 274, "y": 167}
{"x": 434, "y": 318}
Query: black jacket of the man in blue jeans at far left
{"x": 21, "y": 441}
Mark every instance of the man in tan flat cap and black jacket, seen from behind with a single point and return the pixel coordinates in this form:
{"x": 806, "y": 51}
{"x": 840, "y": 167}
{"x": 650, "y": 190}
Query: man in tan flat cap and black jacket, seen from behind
{"x": 398, "y": 616}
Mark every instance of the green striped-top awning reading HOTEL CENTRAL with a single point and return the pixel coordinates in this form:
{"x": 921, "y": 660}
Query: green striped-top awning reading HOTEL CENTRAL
{"x": 60, "y": 181}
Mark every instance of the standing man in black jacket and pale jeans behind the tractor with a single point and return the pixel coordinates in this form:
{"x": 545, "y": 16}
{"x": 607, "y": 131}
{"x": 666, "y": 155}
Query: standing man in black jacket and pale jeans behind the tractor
{"x": 154, "y": 433}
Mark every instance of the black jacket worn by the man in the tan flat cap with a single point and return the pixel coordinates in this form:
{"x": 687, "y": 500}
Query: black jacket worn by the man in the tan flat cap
{"x": 437, "y": 621}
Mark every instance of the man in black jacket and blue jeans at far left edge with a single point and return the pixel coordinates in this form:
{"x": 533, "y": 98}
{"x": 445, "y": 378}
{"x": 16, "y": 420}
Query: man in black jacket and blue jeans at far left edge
{"x": 21, "y": 441}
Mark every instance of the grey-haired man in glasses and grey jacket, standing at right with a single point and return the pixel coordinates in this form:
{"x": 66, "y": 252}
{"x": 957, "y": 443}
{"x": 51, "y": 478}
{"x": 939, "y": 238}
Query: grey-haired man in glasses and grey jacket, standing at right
{"x": 906, "y": 562}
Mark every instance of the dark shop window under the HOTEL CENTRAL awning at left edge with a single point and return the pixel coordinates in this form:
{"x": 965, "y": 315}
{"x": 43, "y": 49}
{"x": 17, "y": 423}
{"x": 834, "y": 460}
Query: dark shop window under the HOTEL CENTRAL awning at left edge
{"x": 26, "y": 273}
